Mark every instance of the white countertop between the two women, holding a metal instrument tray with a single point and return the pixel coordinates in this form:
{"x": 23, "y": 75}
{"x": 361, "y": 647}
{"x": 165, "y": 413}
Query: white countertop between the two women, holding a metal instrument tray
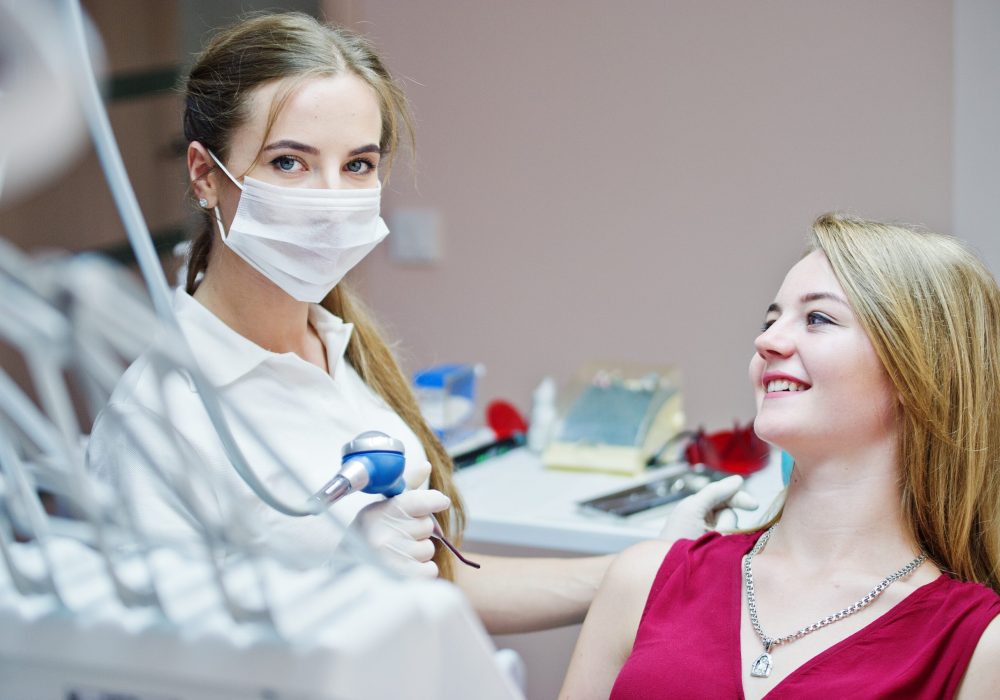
{"x": 513, "y": 500}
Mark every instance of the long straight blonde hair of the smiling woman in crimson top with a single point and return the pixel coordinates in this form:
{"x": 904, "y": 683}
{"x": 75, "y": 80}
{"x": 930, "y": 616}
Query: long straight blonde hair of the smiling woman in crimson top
{"x": 932, "y": 311}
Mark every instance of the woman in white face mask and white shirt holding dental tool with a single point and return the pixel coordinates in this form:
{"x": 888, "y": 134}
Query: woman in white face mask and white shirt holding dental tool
{"x": 289, "y": 124}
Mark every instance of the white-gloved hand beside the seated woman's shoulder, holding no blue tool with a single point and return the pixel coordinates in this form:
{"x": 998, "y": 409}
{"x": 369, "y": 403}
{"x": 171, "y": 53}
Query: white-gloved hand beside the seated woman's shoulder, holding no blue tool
{"x": 708, "y": 509}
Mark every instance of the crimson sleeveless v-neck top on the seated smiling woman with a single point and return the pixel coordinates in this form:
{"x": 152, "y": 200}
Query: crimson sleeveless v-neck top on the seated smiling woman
{"x": 688, "y": 641}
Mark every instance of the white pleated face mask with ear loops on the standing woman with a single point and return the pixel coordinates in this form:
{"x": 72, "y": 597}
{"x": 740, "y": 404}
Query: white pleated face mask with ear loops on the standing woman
{"x": 303, "y": 240}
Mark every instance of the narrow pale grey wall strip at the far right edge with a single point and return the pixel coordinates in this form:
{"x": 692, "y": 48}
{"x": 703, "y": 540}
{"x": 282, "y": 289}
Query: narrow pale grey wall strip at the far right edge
{"x": 977, "y": 126}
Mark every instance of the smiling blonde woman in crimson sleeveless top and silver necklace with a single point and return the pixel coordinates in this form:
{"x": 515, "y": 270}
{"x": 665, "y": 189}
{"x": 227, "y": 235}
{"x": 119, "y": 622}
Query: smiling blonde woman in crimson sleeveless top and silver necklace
{"x": 878, "y": 369}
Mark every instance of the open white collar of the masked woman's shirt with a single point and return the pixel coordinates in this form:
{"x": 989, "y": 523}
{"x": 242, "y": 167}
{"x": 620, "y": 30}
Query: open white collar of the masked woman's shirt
{"x": 224, "y": 355}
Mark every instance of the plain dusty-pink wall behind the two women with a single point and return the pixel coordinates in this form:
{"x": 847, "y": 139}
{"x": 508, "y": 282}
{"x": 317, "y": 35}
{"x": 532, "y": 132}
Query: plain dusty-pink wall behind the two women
{"x": 631, "y": 180}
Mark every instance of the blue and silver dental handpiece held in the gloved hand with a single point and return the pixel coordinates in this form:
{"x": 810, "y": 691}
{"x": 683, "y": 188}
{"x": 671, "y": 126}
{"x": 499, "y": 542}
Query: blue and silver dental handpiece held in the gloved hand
{"x": 373, "y": 462}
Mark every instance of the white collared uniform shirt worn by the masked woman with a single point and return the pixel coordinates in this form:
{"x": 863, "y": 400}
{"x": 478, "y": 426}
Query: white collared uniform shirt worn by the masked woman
{"x": 305, "y": 414}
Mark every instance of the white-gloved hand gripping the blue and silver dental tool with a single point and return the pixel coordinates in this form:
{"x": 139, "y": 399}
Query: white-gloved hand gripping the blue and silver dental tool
{"x": 399, "y": 528}
